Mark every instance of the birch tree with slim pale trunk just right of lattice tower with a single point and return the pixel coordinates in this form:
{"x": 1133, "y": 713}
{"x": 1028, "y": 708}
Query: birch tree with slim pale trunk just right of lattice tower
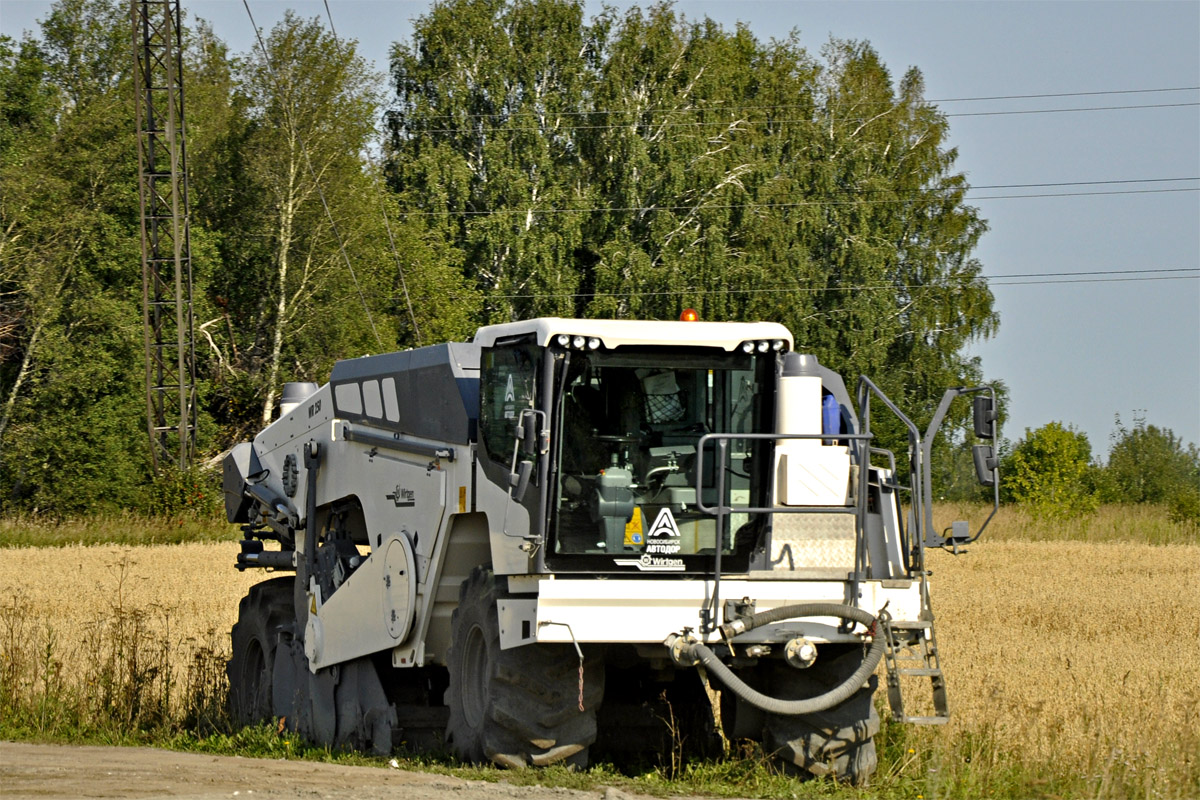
{"x": 295, "y": 196}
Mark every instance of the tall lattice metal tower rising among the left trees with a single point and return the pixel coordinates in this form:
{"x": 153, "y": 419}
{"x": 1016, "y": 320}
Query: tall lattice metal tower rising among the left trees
{"x": 166, "y": 252}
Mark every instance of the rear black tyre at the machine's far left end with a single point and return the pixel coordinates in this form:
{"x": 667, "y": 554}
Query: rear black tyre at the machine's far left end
{"x": 262, "y": 613}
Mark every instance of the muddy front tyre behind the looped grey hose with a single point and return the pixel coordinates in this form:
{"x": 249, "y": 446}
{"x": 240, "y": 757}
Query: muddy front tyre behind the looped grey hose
{"x": 839, "y": 743}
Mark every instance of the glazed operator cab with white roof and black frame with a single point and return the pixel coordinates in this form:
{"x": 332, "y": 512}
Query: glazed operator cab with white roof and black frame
{"x": 623, "y": 406}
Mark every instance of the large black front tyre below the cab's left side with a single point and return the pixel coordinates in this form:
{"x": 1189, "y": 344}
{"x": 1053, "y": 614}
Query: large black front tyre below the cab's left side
{"x": 515, "y": 707}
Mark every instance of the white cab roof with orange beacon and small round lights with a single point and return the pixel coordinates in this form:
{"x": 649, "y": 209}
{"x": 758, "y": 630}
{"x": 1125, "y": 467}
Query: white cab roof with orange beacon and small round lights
{"x": 619, "y": 333}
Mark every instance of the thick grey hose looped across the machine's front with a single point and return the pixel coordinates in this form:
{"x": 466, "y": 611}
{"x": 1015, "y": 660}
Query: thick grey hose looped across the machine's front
{"x": 835, "y": 697}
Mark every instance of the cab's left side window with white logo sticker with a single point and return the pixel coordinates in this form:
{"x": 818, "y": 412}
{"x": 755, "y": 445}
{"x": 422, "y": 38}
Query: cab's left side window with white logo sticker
{"x": 509, "y": 386}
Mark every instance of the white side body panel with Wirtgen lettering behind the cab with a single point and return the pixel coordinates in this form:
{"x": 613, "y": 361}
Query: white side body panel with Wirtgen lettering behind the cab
{"x": 405, "y": 496}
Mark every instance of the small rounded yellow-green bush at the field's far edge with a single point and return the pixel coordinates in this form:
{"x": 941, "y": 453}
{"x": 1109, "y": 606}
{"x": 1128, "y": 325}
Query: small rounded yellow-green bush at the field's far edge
{"x": 1051, "y": 472}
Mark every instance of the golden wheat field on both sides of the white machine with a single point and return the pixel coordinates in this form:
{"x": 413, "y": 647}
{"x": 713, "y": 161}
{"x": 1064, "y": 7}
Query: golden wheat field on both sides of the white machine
{"x": 1082, "y": 658}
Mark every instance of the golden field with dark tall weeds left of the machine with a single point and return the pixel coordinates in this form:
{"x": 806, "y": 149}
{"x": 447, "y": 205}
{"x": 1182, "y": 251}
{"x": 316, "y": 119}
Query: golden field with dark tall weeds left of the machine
{"x": 123, "y": 639}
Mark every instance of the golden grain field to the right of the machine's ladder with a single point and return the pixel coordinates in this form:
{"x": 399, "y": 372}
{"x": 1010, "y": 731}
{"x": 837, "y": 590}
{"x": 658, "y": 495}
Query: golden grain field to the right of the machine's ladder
{"x": 1079, "y": 657}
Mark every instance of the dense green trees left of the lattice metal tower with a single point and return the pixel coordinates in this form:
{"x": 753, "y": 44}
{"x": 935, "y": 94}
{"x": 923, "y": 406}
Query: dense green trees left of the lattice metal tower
{"x": 71, "y": 422}
